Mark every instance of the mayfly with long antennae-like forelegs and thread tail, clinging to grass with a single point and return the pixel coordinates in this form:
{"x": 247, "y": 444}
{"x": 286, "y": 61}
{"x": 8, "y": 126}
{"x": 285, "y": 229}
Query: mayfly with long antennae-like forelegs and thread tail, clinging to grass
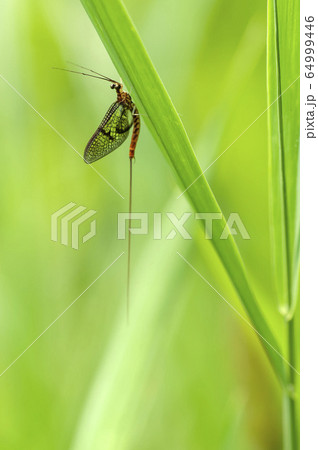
{"x": 110, "y": 134}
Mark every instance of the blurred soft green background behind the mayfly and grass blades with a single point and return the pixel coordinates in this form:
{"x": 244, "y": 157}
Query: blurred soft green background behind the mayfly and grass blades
{"x": 187, "y": 373}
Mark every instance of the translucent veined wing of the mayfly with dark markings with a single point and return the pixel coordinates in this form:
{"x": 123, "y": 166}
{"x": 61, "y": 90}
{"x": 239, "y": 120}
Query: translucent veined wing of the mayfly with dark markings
{"x": 110, "y": 134}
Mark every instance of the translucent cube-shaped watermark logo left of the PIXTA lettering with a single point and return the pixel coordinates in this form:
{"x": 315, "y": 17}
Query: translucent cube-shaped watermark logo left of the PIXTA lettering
{"x": 69, "y": 225}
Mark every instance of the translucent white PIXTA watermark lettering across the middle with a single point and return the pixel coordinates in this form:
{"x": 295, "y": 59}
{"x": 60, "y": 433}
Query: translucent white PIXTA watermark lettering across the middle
{"x": 232, "y": 226}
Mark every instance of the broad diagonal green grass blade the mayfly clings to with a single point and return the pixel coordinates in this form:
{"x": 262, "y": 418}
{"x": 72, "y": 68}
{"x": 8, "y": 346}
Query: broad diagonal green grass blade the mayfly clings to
{"x": 124, "y": 45}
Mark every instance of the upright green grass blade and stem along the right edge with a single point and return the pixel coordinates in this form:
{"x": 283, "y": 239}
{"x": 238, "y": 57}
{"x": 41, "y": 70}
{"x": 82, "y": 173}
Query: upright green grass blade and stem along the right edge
{"x": 283, "y": 120}
